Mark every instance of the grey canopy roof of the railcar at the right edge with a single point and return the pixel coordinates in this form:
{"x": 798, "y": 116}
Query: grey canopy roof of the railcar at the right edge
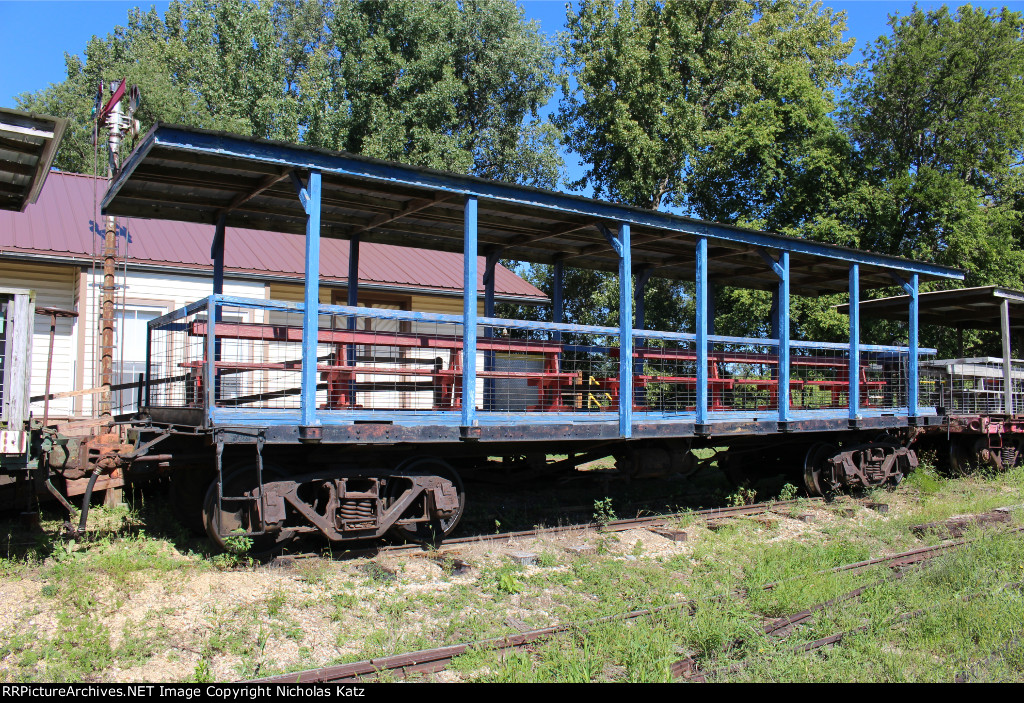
{"x": 969, "y": 309}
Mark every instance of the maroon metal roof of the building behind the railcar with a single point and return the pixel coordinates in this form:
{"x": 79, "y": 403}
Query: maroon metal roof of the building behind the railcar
{"x": 60, "y": 225}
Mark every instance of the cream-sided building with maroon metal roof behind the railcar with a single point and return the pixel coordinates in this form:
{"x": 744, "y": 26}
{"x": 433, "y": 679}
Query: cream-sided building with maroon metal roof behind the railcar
{"x": 55, "y": 248}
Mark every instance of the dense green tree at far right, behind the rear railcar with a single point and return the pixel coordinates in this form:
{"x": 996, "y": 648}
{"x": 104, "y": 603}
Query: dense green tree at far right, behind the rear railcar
{"x": 936, "y": 114}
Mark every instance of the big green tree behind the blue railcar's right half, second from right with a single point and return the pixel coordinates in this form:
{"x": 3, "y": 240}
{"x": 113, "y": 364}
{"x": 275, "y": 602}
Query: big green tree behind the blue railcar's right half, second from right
{"x": 717, "y": 109}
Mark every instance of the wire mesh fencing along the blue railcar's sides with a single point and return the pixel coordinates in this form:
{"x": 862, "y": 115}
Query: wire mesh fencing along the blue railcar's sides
{"x": 248, "y": 355}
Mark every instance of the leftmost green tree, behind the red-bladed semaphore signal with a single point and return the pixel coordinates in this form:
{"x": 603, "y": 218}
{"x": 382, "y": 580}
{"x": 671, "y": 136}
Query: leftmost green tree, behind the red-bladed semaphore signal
{"x": 211, "y": 65}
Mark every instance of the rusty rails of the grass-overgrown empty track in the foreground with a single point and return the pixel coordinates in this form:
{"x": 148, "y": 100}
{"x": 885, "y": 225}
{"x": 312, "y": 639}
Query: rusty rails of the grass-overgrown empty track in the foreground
{"x": 434, "y": 661}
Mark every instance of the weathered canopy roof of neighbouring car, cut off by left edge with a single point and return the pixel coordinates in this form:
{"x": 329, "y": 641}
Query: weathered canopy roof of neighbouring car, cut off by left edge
{"x": 28, "y": 145}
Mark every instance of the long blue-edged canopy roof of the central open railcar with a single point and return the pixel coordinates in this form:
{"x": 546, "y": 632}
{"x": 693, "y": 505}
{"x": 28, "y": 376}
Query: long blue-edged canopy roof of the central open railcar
{"x": 196, "y": 175}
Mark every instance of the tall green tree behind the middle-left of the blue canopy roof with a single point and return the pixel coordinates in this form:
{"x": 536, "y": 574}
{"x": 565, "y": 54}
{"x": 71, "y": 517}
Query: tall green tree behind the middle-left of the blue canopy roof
{"x": 449, "y": 85}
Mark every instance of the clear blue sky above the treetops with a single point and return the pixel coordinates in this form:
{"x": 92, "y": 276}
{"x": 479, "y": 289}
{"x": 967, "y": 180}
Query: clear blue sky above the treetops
{"x": 36, "y": 35}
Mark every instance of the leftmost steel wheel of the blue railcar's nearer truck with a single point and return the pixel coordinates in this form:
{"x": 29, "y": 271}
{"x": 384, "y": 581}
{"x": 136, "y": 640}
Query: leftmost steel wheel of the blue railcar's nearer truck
{"x": 240, "y": 516}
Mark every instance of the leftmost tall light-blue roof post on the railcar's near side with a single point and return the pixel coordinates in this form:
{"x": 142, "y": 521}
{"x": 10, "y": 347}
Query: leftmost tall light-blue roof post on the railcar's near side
{"x": 311, "y": 317}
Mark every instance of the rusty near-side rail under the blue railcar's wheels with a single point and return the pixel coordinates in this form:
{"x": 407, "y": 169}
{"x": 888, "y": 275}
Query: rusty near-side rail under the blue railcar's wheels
{"x": 645, "y": 522}
